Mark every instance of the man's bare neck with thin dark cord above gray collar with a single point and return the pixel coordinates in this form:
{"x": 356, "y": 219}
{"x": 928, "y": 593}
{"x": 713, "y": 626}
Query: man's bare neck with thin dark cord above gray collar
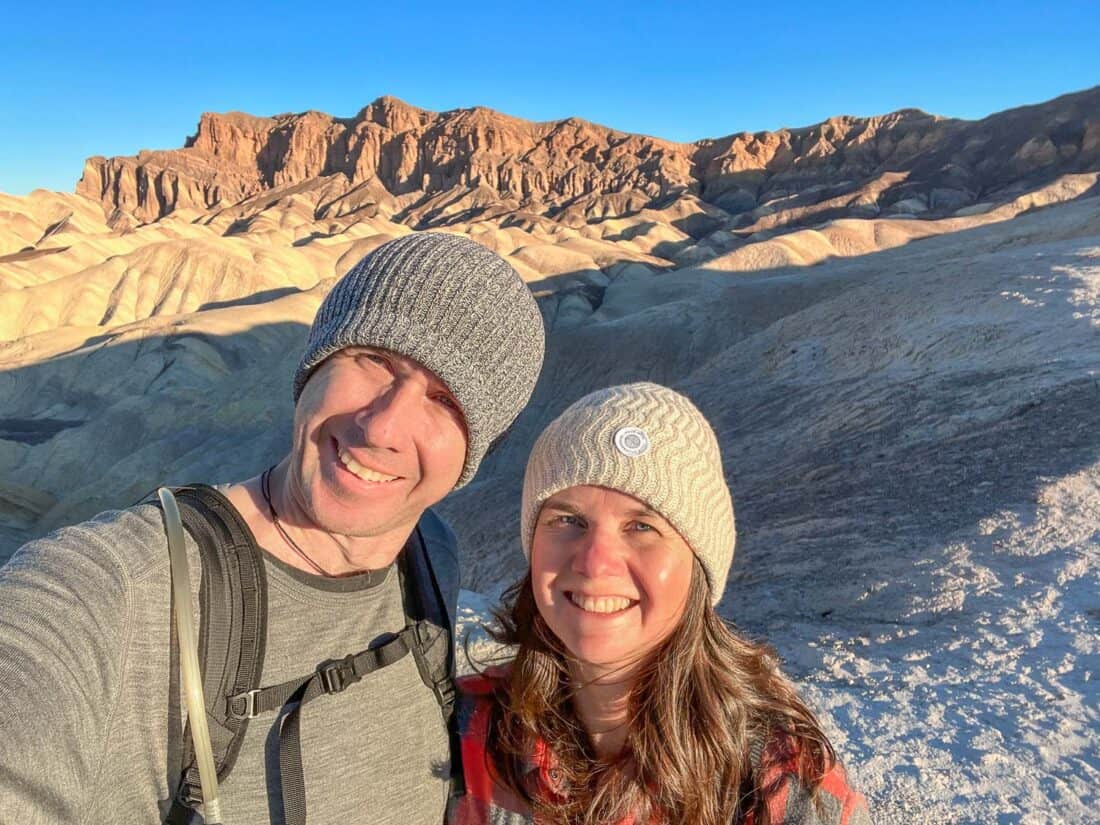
{"x": 302, "y": 544}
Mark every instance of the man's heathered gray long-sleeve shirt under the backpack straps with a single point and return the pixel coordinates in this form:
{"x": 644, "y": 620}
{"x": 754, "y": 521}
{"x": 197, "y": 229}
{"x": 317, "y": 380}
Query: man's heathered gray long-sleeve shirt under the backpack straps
{"x": 84, "y": 690}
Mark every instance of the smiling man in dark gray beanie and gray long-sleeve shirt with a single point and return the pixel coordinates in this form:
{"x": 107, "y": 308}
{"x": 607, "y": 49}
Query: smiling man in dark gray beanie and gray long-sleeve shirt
{"x": 419, "y": 360}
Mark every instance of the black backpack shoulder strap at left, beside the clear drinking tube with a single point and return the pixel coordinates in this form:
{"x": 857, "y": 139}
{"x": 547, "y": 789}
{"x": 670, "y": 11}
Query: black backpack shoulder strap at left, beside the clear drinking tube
{"x": 233, "y": 635}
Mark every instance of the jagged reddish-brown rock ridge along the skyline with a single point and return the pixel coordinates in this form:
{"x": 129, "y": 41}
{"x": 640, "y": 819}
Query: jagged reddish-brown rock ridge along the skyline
{"x": 573, "y": 171}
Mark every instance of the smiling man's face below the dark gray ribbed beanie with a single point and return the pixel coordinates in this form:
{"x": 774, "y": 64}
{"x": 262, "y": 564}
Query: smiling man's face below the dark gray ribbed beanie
{"x": 378, "y": 439}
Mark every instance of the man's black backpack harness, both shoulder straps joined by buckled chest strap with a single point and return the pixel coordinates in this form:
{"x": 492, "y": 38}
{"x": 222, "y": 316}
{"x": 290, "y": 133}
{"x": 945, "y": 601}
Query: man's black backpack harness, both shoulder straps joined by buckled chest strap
{"x": 234, "y": 631}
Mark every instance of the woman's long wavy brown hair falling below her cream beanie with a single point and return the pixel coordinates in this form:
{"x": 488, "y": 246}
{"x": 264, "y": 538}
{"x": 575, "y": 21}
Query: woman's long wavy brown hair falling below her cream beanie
{"x": 703, "y": 706}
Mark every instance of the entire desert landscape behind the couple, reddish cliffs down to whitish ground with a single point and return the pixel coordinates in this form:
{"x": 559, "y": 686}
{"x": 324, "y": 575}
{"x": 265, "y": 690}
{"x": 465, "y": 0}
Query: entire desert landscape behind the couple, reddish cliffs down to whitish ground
{"x": 893, "y": 323}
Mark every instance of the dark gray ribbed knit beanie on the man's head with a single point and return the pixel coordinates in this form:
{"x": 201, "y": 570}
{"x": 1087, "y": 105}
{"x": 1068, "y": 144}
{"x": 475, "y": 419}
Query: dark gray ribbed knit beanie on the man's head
{"x": 454, "y": 306}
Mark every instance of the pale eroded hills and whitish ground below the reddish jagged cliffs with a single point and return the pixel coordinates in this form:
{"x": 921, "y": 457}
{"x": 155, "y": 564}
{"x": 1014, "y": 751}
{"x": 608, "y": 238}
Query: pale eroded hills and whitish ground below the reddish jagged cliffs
{"x": 909, "y": 413}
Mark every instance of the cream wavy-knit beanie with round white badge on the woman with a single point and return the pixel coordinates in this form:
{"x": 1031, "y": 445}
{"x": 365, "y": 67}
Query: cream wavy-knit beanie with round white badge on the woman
{"x": 650, "y": 443}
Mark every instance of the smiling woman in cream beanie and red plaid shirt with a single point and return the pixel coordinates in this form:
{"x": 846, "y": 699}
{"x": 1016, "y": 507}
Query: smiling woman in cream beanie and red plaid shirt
{"x": 630, "y": 701}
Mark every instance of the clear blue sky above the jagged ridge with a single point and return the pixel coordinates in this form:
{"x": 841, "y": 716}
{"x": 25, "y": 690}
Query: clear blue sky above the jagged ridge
{"x": 82, "y": 80}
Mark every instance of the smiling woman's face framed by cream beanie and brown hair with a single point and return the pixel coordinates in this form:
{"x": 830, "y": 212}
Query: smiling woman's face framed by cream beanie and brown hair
{"x": 610, "y": 576}
